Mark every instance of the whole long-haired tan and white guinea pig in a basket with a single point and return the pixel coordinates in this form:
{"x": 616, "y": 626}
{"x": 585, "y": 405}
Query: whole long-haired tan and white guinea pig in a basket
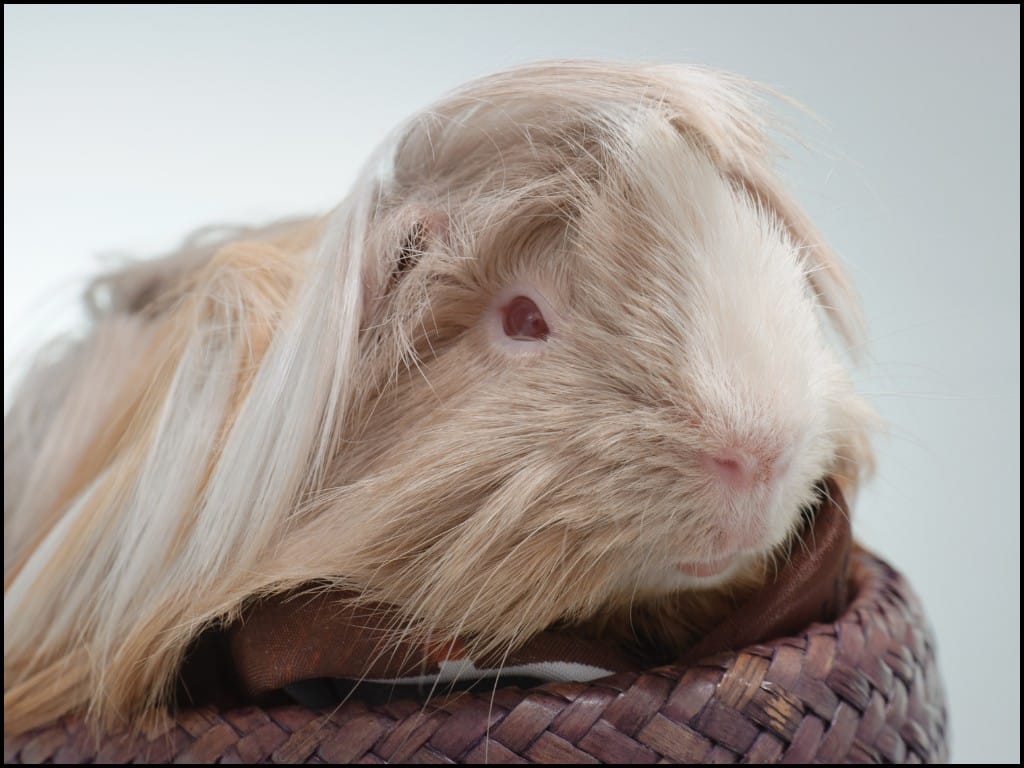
{"x": 562, "y": 356}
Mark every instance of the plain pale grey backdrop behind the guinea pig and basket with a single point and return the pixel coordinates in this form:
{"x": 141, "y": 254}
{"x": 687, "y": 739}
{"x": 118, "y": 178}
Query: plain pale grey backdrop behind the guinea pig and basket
{"x": 125, "y": 129}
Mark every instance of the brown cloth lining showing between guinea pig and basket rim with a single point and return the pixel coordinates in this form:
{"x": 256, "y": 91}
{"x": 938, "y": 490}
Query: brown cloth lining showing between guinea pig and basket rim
{"x": 320, "y": 634}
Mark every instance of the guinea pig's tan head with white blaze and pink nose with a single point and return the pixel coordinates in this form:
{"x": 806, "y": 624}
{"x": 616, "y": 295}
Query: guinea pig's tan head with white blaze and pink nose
{"x": 595, "y": 362}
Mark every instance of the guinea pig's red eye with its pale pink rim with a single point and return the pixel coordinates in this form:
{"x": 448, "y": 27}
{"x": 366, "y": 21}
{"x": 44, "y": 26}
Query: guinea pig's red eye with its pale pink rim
{"x": 522, "y": 321}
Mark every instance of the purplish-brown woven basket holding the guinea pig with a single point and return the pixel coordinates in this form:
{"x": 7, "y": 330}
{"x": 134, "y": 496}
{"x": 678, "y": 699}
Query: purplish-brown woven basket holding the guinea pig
{"x": 863, "y": 690}
